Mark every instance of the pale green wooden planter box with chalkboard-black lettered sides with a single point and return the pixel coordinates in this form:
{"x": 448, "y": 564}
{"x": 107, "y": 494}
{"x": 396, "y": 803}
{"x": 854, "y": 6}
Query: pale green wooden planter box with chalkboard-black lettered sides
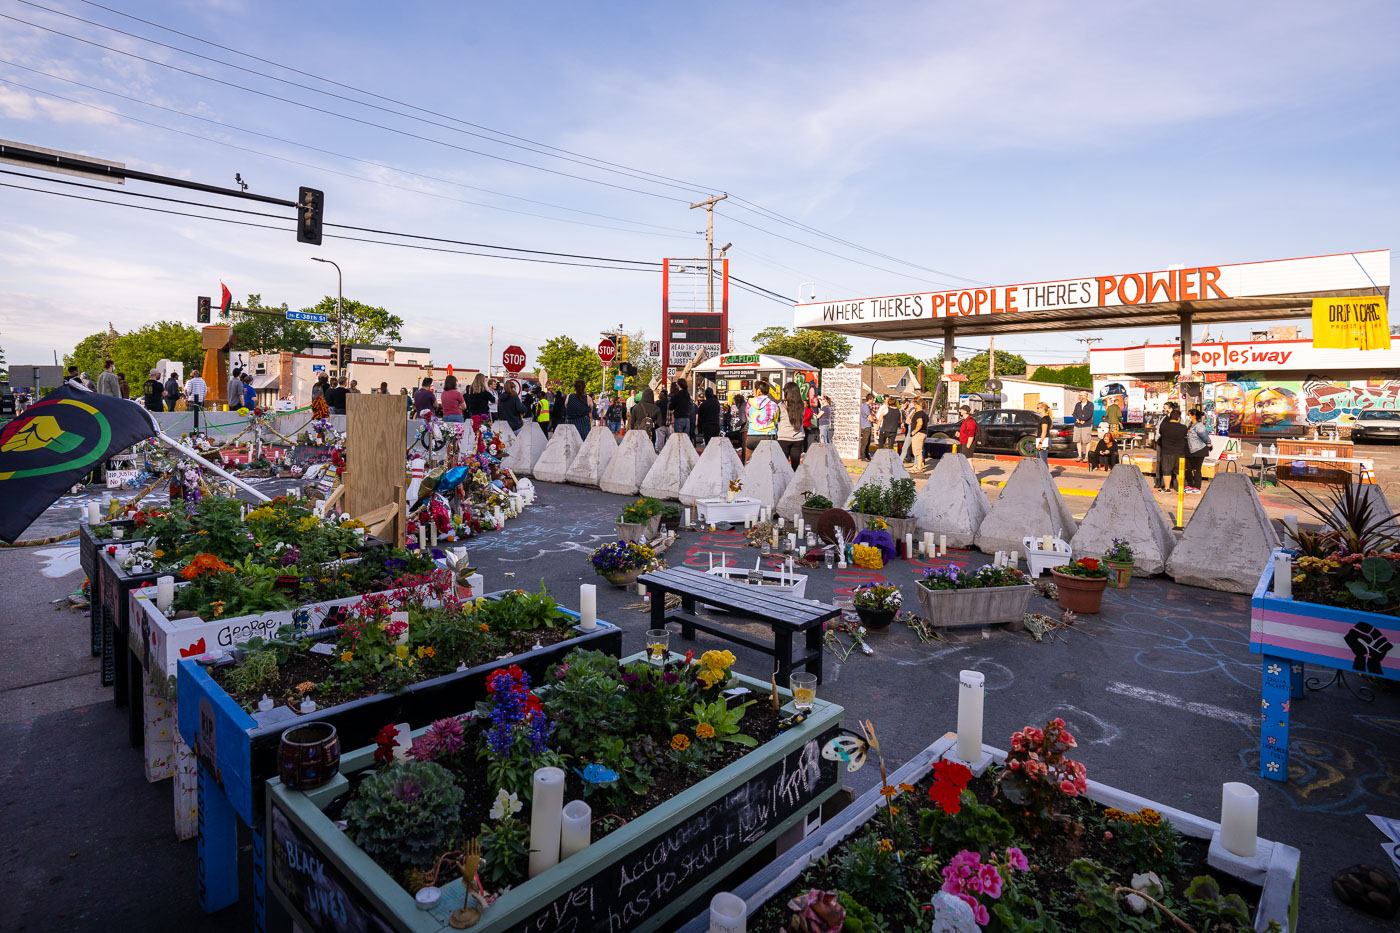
{"x": 636, "y": 879}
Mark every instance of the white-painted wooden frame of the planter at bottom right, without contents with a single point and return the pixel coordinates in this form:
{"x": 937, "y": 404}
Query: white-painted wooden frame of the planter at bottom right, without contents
{"x": 1275, "y": 871}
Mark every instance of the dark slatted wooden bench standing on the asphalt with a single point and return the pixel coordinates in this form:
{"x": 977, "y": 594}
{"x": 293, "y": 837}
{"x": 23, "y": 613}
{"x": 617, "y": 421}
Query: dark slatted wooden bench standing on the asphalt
{"x": 789, "y": 616}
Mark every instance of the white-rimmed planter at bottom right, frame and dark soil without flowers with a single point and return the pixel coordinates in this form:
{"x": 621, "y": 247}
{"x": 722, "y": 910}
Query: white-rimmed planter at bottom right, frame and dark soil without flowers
{"x": 1268, "y": 885}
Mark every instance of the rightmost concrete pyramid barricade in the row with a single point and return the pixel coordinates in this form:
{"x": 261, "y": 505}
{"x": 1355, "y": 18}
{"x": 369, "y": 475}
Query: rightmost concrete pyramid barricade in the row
{"x": 1228, "y": 540}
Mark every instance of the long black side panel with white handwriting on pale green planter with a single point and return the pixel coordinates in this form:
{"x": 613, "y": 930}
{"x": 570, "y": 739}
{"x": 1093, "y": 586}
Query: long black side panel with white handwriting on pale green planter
{"x": 643, "y": 882}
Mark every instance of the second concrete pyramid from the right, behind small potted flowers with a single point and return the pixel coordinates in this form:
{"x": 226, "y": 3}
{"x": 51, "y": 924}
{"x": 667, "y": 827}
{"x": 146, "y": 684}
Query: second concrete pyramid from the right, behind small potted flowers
{"x": 1126, "y": 509}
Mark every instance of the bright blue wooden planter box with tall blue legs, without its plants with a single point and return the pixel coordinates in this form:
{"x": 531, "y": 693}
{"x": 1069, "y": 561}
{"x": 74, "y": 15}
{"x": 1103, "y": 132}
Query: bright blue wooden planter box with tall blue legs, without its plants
{"x": 237, "y": 752}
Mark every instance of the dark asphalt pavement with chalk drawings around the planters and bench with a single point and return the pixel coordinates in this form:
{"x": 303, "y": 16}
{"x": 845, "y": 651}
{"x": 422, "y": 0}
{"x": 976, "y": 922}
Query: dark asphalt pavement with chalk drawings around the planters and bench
{"x": 1160, "y": 689}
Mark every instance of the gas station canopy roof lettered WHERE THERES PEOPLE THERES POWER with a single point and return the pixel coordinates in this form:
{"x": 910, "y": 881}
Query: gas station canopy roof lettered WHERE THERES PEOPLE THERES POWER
{"x": 1182, "y": 295}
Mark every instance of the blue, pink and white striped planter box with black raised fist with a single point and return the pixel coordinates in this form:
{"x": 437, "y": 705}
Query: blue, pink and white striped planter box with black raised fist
{"x": 1290, "y": 634}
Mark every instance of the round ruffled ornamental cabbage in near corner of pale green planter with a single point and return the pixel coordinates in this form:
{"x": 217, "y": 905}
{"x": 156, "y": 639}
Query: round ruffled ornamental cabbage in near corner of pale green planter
{"x": 405, "y": 816}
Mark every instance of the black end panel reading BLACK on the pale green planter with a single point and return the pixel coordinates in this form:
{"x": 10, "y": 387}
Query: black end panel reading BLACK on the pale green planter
{"x": 316, "y": 886}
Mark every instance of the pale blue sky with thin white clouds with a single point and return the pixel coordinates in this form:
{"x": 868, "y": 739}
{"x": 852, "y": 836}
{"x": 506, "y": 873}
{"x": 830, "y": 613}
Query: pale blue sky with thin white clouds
{"x": 1000, "y": 144}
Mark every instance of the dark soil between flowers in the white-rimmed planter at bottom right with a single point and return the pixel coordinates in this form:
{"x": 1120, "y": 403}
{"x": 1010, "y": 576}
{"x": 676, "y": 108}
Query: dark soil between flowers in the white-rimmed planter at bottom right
{"x": 1052, "y": 887}
